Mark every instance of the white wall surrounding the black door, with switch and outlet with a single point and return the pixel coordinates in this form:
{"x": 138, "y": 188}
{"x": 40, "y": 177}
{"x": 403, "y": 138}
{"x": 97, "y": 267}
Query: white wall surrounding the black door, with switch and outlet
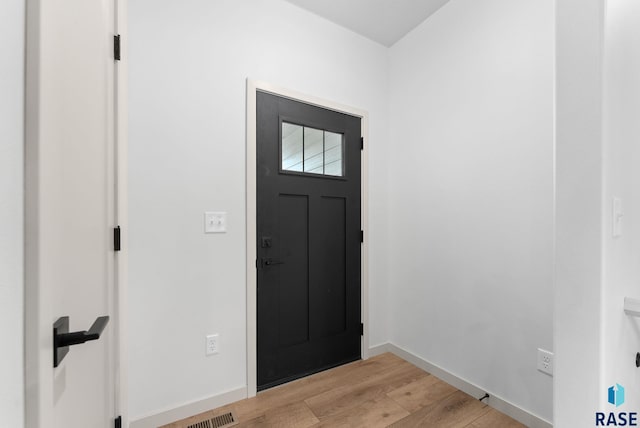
{"x": 189, "y": 61}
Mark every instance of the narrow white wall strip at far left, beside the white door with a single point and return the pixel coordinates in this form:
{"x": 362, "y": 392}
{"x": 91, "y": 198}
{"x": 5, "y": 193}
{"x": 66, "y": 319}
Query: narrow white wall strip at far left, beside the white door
{"x": 12, "y": 29}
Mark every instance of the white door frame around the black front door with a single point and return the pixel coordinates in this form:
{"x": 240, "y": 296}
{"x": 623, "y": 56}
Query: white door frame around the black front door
{"x": 253, "y": 87}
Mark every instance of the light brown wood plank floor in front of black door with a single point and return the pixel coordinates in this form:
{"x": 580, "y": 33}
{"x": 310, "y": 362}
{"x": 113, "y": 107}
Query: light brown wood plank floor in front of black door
{"x": 382, "y": 391}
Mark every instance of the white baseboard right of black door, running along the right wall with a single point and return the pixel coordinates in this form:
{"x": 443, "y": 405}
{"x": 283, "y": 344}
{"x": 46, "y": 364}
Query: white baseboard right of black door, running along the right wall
{"x": 500, "y": 404}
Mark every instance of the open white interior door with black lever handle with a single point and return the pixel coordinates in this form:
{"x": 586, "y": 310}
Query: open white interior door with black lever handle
{"x": 71, "y": 210}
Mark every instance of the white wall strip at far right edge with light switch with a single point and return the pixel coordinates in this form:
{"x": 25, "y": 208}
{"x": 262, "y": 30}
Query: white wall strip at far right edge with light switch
{"x": 621, "y": 333}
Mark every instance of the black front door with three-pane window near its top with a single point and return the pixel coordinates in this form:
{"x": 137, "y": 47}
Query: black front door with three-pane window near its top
{"x": 308, "y": 211}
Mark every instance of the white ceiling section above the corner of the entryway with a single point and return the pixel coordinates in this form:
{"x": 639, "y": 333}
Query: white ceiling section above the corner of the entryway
{"x": 384, "y": 21}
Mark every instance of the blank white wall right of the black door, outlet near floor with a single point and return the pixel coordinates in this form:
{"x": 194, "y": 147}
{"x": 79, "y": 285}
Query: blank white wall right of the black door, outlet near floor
{"x": 471, "y": 217}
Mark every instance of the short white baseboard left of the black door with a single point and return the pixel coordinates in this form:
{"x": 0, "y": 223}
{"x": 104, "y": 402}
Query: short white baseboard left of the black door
{"x": 190, "y": 409}
